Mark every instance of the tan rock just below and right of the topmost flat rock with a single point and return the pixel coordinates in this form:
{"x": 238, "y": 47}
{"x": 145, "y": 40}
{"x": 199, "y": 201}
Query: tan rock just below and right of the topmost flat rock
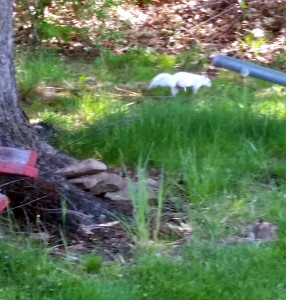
{"x": 112, "y": 183}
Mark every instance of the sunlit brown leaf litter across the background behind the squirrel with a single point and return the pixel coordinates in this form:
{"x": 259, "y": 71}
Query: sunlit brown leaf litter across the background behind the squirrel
{"x": 216, "y": 26}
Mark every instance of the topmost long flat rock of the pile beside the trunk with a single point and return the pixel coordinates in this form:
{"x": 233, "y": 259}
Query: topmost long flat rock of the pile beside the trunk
{"x": 85, "y": 167}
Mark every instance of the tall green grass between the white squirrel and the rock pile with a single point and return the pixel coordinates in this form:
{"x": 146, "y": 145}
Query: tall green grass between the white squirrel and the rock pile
{"x": 217, "y": 148}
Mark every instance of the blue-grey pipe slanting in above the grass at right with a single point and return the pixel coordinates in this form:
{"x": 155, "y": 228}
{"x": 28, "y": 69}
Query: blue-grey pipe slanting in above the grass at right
{"x": 246, "y": 68}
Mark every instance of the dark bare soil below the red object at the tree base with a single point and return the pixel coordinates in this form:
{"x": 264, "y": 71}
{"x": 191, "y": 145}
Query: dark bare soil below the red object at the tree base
{"x": 36, "y": 210}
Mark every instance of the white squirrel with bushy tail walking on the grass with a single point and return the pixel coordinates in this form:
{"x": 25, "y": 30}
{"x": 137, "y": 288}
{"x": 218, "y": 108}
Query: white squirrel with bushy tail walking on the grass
{"x": 180, "y": 80}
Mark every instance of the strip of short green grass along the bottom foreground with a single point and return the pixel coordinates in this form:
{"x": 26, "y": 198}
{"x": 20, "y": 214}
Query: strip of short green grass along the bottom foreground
{"x": 203, "y": 270}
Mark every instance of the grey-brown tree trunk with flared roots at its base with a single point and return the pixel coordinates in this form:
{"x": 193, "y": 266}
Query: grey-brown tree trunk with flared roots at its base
{"x": 16, "y": 131}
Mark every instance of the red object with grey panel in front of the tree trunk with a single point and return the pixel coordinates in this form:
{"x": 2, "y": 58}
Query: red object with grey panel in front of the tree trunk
{"x": 18, "y": 161}
